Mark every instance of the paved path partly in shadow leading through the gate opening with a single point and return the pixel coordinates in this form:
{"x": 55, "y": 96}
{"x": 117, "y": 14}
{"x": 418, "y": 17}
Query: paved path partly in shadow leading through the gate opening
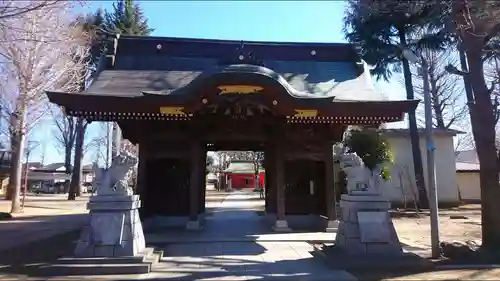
{"x": 230, "y": 248}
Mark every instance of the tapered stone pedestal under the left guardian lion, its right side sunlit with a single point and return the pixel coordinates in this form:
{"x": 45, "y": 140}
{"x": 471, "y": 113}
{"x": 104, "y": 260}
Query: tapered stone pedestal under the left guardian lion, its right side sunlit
{"x": 114, "y": 228}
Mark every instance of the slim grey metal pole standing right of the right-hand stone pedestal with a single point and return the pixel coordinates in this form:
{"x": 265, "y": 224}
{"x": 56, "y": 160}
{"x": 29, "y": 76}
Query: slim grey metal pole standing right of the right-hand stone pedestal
{"x": 433, "y": 199}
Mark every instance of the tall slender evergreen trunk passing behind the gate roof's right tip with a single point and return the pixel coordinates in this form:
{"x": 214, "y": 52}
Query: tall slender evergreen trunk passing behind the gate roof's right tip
{"x": 423, "y": 200}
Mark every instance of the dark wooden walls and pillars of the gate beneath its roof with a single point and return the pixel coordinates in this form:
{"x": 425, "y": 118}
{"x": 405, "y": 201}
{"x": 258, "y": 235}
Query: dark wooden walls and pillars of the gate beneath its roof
{"x": 172, "y": 178}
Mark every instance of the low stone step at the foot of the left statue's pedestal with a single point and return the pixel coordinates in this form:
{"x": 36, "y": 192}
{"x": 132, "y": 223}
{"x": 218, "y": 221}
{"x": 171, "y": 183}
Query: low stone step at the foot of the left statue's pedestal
{"x": 105, "y": 266}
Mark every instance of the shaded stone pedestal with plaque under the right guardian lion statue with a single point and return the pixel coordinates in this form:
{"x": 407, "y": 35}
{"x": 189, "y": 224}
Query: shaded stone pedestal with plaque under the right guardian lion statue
{"x": 365, "y": 226}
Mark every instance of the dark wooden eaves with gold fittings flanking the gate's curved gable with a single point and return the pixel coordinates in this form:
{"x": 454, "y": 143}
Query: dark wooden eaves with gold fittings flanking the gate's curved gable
{"x": 107, "y": 108}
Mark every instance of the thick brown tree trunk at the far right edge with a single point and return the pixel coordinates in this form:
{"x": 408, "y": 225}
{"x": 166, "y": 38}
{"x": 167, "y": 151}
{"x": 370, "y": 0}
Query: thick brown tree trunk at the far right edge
{"x": 484, "y": 125}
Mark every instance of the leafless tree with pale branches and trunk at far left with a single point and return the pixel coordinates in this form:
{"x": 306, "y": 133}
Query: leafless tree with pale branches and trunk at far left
{"x": 40, "y": 50}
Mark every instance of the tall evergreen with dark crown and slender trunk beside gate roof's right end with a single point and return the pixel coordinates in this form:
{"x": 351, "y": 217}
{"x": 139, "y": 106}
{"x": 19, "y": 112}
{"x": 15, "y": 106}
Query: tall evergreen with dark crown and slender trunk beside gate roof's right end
{"x": 382, "y": 29}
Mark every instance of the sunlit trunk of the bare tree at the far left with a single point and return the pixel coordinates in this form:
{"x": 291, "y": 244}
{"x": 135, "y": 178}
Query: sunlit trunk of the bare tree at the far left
{"x": 17, "y": 143}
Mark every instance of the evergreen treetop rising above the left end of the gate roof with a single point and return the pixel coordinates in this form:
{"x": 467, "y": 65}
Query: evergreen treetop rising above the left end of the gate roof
{"x": 127, "y": 18}
